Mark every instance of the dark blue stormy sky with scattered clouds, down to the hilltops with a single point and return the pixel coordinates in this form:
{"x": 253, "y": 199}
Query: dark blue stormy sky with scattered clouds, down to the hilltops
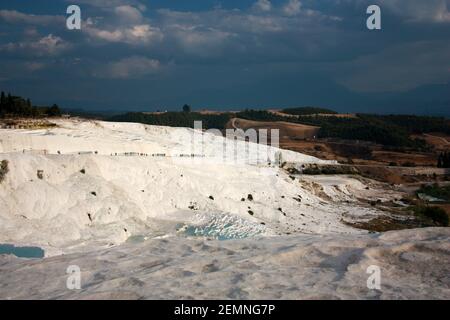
{"x": 228, "y": 54}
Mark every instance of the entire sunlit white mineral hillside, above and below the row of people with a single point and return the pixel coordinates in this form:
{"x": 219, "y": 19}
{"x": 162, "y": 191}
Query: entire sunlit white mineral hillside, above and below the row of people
{"x": 63, "y": 201}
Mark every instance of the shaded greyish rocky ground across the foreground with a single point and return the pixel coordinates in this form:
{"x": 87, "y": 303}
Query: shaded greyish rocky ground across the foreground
{"x": 414, "y": 264}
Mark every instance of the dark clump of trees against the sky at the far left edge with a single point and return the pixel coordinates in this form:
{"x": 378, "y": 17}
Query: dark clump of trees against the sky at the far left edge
{"x": 15, "y": 106}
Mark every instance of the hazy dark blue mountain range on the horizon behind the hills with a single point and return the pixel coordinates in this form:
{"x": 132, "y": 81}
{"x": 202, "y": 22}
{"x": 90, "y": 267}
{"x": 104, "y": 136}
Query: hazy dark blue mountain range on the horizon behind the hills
{"x": 431, "y": 100}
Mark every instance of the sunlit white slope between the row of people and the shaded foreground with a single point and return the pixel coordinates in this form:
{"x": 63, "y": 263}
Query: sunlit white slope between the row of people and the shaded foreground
{"x": 78, "y": 202}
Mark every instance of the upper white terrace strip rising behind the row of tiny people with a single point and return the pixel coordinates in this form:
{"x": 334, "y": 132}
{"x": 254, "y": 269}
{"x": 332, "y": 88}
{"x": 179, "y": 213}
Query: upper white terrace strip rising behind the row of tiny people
{"x": 110, "y": 138}
